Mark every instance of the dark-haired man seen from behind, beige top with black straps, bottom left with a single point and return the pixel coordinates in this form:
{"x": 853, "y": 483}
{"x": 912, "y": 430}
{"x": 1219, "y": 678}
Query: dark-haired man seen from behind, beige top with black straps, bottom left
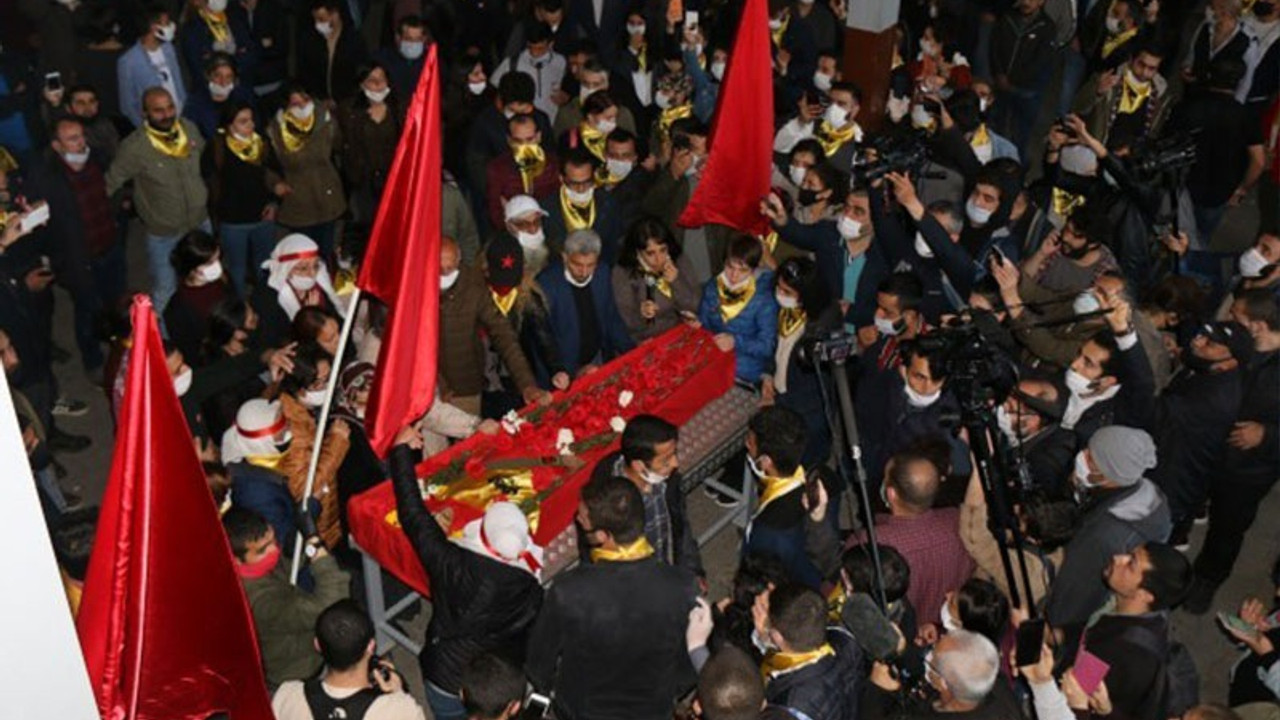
{"x": 356, "y": 685}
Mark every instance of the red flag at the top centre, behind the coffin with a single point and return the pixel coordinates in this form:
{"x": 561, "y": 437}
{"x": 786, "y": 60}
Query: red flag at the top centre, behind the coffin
{"x": 742, "y": 143}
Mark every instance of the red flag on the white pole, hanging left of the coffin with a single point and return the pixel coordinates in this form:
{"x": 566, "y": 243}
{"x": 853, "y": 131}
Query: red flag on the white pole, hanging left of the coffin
{"x": 403, "y": 268}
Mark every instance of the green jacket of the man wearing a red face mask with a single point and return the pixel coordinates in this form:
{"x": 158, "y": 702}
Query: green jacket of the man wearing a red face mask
{"x": 286, "y": 618}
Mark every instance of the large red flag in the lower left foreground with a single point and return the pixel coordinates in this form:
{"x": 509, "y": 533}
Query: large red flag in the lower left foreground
{"x": 164, "y": 625}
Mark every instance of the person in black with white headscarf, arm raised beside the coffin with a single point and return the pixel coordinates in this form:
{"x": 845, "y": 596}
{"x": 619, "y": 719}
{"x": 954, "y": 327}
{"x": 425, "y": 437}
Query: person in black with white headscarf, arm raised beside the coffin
{"x": 484, "y": 587}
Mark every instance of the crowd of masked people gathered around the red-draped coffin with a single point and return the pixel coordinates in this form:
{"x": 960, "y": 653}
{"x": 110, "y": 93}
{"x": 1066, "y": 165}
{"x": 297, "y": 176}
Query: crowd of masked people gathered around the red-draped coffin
{"x": 1131, "y": 380}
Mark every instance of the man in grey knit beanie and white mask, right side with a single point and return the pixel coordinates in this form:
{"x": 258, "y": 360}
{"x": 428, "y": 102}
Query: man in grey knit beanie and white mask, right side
{"x": 1122, "y": 509}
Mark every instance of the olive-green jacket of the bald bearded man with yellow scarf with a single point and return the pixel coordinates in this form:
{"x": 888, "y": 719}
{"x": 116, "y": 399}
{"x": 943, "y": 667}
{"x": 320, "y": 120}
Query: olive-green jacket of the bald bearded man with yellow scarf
{"x": 168, "y": 193}
